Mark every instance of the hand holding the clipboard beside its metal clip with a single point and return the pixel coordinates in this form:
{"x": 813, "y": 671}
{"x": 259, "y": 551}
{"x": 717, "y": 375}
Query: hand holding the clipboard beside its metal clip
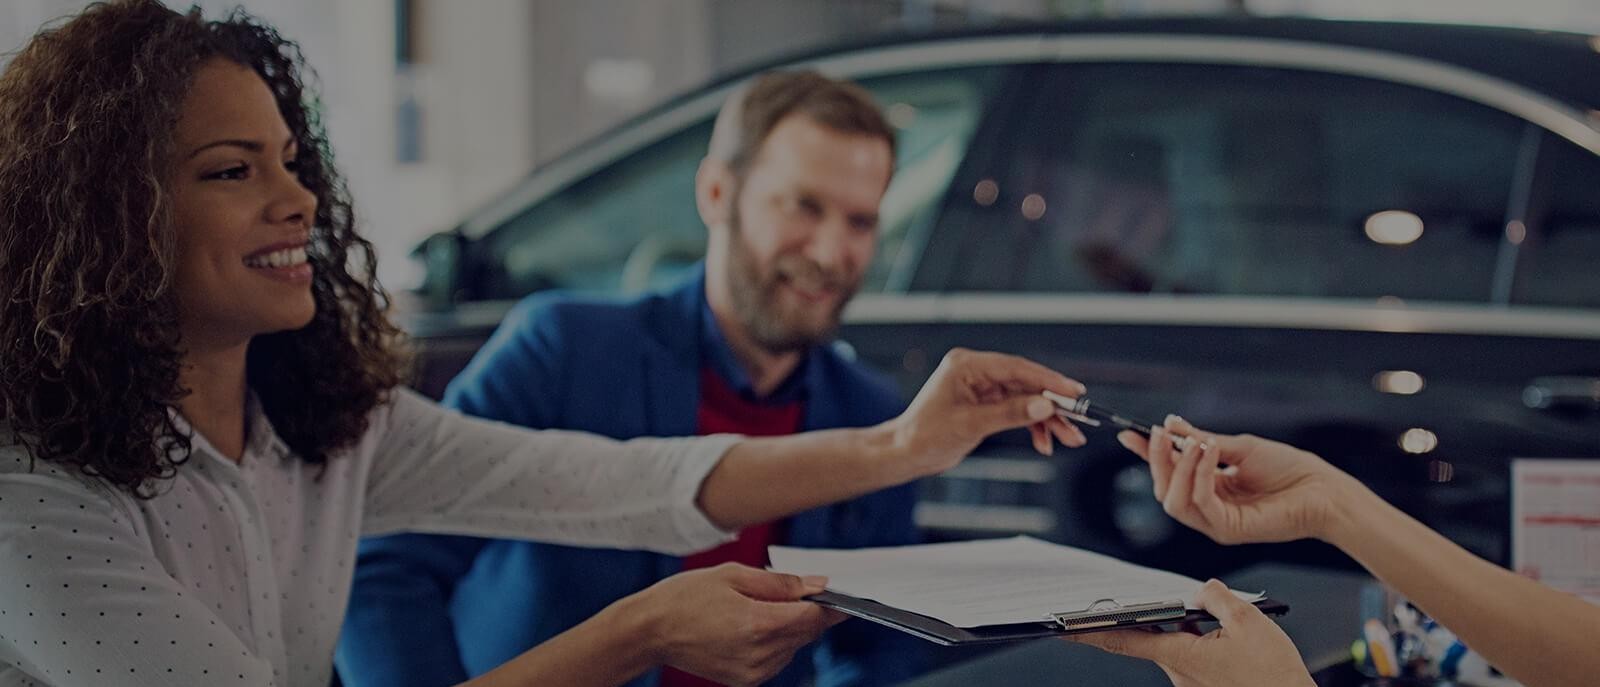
{"x": 1247, "y": 651}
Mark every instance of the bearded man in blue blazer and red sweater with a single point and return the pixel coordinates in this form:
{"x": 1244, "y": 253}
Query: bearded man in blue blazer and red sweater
{"x": 790, "y": 193}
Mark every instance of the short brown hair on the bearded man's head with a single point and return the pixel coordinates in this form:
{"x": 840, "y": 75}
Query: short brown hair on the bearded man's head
{"x": 753, "y": 113}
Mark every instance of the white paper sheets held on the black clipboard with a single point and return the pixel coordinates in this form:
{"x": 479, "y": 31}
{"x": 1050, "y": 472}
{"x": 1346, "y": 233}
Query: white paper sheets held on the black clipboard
{"x": 988, "y": 582}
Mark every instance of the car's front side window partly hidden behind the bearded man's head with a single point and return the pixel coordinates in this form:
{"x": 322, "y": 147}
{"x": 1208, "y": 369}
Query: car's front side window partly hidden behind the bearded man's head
{"x": 633, "y": 225}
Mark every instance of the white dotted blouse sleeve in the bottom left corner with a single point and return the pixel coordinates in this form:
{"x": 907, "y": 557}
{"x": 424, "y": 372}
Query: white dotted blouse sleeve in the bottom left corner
{"x": 86, "y": 603}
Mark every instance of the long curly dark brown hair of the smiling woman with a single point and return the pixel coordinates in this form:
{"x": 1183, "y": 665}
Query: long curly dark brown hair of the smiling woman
{"x": 90, "y": 348}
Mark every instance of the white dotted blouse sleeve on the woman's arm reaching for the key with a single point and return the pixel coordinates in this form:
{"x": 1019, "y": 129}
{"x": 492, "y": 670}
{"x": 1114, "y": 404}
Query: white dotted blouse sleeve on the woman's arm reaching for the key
{"x": 446, "y": 473}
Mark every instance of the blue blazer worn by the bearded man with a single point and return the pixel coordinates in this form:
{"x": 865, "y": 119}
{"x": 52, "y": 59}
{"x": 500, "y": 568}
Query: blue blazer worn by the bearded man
{"x": 434, "y": 609}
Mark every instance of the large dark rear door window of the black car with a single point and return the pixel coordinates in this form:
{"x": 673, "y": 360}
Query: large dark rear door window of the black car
{"x": 1236, "y": 180}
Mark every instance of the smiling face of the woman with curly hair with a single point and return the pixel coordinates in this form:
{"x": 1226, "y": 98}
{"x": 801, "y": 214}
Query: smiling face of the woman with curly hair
{"x": 242, "y": 215}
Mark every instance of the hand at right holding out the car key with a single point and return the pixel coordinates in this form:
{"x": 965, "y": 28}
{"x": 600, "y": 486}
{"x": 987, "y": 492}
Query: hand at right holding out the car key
{"x": 1270, "y": 492}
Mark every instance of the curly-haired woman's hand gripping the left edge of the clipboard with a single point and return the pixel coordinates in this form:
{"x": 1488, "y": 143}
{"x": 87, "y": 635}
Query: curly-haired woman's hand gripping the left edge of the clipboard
{"x": 730, "y": 624}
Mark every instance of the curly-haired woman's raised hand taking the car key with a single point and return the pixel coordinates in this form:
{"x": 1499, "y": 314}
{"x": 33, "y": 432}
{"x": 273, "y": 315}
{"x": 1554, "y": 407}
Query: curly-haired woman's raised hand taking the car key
{"x": 975, "y": 395}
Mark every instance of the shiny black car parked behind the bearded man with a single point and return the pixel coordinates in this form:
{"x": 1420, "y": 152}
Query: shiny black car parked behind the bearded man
{"x": 1375, "y": 241}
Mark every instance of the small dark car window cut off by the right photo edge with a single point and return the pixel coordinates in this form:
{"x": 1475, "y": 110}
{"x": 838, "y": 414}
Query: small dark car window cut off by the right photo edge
{"x": 1561, "y": 259}
